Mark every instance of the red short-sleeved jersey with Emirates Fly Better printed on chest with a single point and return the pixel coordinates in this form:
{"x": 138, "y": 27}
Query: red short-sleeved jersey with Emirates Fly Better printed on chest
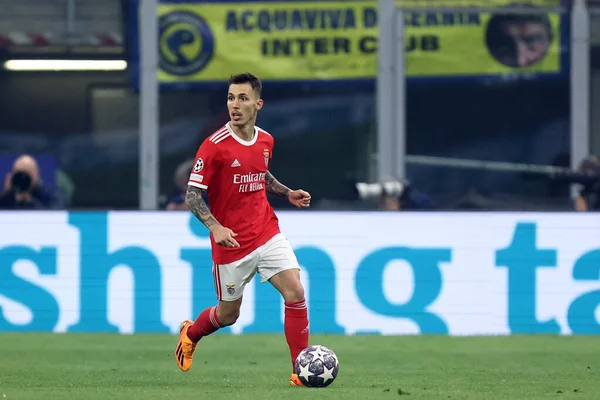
{"x": 233, "y": 171}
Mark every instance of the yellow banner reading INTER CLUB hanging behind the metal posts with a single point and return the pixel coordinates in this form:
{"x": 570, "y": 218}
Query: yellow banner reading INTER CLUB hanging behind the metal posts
{"x": 331, "y": 40}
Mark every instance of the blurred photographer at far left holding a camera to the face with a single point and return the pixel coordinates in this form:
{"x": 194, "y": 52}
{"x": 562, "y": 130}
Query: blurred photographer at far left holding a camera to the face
{"x": 23, "y": 188}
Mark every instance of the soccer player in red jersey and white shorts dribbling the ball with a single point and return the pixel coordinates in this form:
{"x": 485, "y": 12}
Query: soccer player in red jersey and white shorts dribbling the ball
{"x": 232, "y": 166}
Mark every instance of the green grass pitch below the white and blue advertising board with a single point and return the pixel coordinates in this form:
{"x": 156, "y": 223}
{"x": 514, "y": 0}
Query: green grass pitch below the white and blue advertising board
{"x": 257, "y": 367}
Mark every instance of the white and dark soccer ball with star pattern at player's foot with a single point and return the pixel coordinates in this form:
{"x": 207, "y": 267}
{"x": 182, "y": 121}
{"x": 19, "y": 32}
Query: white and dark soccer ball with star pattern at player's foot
{"x": 317, "y": 366}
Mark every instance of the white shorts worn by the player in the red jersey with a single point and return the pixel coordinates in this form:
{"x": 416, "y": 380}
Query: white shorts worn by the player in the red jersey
{"x": 268, "y": 260}
